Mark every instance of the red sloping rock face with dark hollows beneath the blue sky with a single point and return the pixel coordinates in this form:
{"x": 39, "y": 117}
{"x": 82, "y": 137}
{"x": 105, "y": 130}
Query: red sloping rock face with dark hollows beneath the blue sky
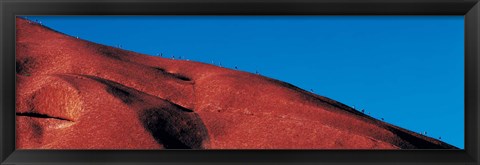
{"x": 75, "y": 94}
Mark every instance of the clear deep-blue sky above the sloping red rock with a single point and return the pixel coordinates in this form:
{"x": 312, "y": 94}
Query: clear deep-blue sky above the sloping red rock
{"x": 406, "y": 69}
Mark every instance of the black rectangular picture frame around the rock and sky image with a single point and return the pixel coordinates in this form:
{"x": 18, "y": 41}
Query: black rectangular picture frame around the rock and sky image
{"x": 470, "y": 9}
